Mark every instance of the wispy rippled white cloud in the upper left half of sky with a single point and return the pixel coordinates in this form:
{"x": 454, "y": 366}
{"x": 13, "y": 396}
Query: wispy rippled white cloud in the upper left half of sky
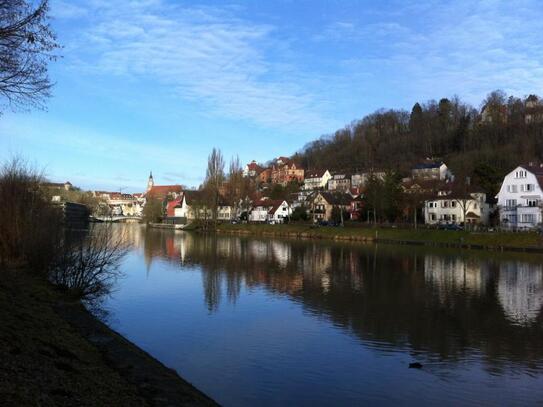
{"x": 205, "y": 55}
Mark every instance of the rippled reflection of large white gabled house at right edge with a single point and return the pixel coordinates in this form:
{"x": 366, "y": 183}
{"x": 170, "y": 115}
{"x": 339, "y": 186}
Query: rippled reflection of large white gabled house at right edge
{"x": 520, "y": 290}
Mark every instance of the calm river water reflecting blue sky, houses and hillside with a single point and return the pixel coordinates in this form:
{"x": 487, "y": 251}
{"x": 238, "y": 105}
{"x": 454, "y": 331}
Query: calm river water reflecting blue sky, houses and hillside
{"x": 253, "y": 321}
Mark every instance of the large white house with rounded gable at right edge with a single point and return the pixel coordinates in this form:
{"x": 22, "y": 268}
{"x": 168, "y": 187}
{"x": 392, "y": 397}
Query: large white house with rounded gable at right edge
{"x": 521, "y": 197}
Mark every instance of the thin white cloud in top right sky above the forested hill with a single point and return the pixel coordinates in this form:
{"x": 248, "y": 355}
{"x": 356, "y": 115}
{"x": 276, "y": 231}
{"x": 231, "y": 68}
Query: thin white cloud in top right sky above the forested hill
{"x": 436, "y": 48}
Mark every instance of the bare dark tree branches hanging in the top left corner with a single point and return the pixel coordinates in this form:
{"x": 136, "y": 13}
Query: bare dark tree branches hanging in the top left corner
{"x": 27, "y": 45}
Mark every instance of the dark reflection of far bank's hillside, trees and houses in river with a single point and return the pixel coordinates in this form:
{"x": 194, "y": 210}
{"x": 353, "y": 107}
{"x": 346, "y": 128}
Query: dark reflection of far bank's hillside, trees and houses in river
{"x": 387, "y": 295}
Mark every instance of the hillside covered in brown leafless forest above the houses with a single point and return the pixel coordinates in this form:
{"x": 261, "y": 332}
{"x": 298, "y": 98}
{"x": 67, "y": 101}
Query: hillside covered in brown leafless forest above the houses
{"x": 483, "y": 144}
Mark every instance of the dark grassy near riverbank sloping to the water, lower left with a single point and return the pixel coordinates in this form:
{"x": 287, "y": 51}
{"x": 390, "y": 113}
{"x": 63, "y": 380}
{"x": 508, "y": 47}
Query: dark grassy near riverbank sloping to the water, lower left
{"x": 54, "y": 352}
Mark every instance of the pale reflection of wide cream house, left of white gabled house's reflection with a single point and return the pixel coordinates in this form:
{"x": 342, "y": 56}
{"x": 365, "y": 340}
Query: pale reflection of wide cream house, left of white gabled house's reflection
{"x": 451, "y": 274}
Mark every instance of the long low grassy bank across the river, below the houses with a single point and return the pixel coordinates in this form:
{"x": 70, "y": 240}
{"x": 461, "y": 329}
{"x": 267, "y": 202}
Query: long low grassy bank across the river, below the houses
{"x": 507, "y": 241}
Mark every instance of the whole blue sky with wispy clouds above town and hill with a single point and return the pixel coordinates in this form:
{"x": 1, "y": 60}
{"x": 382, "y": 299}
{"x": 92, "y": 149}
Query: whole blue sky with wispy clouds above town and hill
{"x": 155, "y": 84}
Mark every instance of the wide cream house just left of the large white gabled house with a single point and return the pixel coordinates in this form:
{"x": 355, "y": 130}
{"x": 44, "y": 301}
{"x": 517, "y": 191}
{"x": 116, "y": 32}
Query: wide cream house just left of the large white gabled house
{"x": 449, "y": 207}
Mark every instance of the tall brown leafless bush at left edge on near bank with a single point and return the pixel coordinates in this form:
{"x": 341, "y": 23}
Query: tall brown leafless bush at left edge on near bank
{"x": 30, "y": 226}
